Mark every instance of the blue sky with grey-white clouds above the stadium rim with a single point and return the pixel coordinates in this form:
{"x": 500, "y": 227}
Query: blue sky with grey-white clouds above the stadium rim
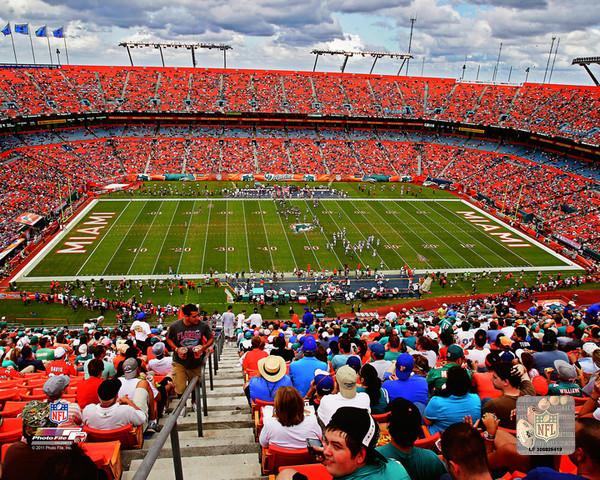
{"x": 277, "y": 34}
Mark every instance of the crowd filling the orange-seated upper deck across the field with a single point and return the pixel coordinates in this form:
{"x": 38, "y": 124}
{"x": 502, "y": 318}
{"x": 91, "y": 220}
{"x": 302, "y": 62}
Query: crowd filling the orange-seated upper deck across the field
{"x": 558, "y": 110}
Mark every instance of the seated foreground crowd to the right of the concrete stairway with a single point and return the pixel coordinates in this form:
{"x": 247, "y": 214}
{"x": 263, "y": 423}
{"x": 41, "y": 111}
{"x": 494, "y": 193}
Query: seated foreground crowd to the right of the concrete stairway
{"x": 452, "y": 374}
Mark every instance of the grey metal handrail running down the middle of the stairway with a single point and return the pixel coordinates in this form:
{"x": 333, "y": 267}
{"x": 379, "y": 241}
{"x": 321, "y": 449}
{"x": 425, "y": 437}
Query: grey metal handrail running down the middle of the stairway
{"x": 197, "y": 384}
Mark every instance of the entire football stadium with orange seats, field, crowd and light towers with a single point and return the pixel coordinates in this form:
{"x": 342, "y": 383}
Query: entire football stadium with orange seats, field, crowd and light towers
{"x": 421, "y": 248}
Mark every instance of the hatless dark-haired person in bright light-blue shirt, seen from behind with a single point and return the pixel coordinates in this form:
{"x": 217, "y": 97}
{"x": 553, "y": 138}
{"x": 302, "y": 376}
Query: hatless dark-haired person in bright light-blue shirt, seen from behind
{"x": 443, "y": 411}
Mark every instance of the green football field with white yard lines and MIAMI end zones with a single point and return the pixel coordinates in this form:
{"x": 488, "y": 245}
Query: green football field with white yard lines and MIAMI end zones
{"x": 153, "y": 238}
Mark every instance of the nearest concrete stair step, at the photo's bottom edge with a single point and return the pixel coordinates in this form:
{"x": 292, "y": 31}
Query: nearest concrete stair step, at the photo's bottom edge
{"x": 221, "y": 467}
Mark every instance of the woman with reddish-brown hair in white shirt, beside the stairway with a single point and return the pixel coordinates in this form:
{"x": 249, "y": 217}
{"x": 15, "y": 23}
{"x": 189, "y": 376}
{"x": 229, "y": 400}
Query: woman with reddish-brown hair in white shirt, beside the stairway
{"x": 290, "y": 425}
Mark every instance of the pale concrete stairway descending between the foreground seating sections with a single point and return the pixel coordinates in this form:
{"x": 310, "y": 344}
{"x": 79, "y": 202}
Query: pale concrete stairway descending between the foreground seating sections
{"x": 226, "y": 451}
